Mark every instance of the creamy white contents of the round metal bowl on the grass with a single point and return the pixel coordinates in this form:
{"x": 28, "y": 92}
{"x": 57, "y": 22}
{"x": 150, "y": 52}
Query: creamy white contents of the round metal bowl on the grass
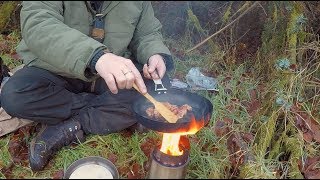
{"x": 91, "y": 171}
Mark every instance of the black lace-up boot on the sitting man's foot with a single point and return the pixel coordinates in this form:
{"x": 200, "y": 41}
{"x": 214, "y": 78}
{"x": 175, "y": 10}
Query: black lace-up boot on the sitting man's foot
{"x": 50, "y": 139}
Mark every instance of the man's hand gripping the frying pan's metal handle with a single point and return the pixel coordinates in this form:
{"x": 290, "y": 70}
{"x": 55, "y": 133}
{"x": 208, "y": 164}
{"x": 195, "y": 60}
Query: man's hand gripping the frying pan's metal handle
{"x": 156, "y": 67}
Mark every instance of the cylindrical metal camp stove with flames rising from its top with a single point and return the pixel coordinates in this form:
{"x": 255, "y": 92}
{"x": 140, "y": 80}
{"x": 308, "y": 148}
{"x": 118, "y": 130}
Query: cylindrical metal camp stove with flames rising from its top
{"x": 170, "y": 160}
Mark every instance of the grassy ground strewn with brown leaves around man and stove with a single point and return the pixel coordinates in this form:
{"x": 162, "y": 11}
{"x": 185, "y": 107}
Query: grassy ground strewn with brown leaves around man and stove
{"x": 265, "y": 121}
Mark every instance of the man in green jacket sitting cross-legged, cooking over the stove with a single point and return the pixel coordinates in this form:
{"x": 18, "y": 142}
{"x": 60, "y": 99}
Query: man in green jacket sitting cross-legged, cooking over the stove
{"x": 81, "y": 60}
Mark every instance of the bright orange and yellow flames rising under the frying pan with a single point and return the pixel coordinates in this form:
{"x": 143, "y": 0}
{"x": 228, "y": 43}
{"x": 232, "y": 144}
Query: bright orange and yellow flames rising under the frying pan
{"x": 170, "y": 141}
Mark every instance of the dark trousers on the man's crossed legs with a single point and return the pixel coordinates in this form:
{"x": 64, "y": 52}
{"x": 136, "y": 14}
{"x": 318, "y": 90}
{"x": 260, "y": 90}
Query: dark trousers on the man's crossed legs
{"x": 39, "y": 95}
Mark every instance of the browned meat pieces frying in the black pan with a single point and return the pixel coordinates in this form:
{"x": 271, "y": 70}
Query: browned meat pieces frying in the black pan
{"x": 179, "y": 111}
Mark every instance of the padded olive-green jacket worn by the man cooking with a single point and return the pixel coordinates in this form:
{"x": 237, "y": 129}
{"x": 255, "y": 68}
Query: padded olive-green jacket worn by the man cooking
{"x": 56, "y": 34}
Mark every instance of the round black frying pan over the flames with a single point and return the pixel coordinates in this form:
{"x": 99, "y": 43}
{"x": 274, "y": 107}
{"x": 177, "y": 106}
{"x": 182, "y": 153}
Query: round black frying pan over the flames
{"x": 201, "y": 110}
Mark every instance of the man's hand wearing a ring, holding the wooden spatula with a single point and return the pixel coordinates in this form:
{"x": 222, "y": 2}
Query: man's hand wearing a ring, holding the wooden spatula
{"x": 119, "y": 73}
